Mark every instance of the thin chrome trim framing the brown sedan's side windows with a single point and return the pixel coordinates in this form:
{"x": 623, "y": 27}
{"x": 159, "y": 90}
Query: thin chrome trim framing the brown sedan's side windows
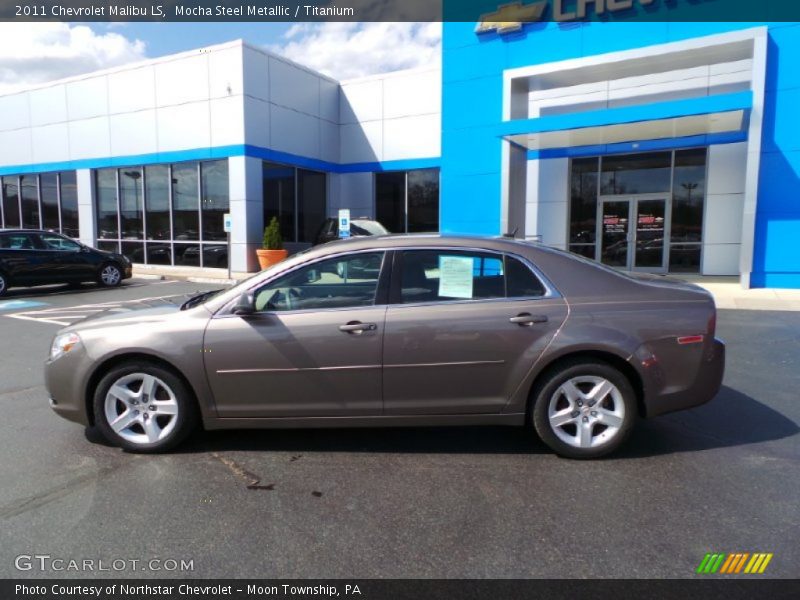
{"x": 550, "y": 290}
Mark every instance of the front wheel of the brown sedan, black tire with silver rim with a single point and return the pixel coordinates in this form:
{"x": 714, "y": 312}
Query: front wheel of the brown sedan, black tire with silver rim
{"x": 156, "y": 423}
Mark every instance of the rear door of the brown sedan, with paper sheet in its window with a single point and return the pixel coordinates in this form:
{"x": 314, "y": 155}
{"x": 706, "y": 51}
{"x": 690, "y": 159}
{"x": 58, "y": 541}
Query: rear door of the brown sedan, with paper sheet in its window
{"x": 462, "y": 330}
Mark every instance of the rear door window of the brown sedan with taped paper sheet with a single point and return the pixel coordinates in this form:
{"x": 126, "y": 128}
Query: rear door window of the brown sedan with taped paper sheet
{"x": 446, "y": 275}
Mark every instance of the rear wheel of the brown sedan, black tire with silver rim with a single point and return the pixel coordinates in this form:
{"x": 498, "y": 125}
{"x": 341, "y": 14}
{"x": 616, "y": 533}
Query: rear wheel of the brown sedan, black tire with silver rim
{"x": 572, "y": 421}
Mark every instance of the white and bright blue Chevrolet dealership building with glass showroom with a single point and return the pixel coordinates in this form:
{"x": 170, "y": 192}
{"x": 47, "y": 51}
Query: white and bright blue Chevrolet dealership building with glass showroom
{"x": 661, "y": 147}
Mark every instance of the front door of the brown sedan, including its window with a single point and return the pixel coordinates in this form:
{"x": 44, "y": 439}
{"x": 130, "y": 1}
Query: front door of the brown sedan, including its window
{"x": 312, "y": 348}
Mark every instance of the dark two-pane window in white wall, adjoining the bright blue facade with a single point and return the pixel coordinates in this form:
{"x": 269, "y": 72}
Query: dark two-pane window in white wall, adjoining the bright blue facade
{"x": 408, "y": 201}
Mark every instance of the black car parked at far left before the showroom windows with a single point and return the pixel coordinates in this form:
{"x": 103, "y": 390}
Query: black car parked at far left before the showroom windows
{"x": 30, "y": 257}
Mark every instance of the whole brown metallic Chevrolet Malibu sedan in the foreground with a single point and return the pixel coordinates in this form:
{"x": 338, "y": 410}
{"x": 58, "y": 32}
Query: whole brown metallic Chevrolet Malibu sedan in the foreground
{"x": 399, "y": 330}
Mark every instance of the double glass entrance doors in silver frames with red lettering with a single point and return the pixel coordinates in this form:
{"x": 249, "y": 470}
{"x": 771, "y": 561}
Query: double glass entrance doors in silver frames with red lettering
{"x": 632, "y": 233}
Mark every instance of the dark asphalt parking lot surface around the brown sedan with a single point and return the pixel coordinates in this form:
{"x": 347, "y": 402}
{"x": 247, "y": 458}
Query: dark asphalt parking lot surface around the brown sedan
{"x": 413, "y": 503}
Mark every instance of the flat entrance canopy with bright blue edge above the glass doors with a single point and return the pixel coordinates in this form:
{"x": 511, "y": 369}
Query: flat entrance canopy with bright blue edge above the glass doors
{"x": 677, "y": 119}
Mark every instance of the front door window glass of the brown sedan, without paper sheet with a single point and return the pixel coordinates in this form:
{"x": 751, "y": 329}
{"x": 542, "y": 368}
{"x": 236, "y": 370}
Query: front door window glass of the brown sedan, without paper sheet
{"x": 342, "y": 282}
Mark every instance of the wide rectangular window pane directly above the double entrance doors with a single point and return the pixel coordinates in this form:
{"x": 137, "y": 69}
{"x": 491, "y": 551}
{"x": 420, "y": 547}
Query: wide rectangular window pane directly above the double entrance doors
{"x": 636, "y": 173}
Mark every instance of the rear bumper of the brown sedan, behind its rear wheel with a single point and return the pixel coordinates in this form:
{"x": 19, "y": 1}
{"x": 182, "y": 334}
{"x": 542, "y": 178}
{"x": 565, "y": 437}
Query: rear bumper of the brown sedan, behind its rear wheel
{"x": 706, "y": 385}
